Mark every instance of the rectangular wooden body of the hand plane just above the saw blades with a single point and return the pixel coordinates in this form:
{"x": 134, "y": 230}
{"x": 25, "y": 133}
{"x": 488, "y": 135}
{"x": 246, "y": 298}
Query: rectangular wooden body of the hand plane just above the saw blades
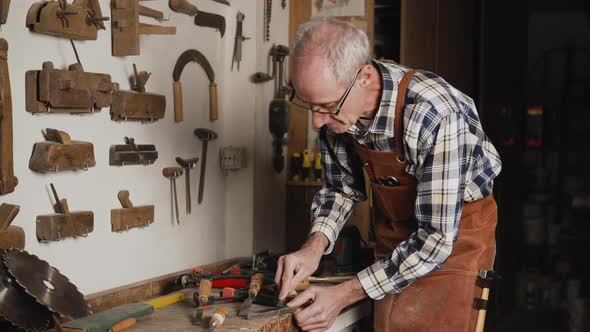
{"x": 58, "y": 226}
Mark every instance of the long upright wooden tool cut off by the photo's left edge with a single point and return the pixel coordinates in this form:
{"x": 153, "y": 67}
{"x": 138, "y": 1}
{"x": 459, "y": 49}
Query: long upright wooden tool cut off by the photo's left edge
{"x": 8, "y": 181}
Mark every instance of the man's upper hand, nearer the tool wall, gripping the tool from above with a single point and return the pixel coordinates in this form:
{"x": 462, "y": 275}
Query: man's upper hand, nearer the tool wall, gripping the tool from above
{"x": 292, "y": 269}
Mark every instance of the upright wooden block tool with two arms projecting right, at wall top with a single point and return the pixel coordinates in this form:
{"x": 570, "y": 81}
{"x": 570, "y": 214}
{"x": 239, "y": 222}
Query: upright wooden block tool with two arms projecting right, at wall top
{"x": 126, "y": 28}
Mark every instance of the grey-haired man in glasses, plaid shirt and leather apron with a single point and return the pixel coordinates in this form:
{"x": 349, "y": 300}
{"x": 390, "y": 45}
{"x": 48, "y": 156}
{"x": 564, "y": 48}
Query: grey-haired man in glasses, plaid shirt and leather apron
{"x": 431, "y": 169}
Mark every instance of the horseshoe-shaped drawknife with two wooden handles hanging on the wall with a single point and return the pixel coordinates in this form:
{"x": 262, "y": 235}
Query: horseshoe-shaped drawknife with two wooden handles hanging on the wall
{"x": 185, "y": 58}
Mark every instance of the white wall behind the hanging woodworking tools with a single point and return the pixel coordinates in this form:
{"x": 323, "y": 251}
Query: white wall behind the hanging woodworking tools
{"x": 222, "y": 226}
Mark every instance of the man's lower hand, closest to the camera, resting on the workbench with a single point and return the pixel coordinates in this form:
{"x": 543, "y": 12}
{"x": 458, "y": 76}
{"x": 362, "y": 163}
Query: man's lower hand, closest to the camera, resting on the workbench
{"x": 327, "y": 302}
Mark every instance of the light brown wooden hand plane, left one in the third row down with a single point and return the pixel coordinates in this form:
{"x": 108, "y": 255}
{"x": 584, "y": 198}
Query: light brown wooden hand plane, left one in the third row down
{"x": 60, "y": 153}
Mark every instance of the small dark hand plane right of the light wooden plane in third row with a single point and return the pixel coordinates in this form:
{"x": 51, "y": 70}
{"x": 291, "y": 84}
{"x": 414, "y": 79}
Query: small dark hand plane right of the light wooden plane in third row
{"x": 132, "y": 154}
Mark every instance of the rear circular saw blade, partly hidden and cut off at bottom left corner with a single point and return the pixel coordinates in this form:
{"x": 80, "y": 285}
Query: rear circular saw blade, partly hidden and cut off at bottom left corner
{"x": 18, "y": 308}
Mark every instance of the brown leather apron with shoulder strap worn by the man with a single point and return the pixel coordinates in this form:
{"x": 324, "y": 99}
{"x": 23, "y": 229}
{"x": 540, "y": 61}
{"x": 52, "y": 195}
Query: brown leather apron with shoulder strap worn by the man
{"x": 442, "y": 300}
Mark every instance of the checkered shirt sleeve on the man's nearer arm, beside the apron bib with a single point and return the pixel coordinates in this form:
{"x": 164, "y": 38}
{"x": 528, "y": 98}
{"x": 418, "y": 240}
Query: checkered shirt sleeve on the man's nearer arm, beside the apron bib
{"x": 441, "y": 176}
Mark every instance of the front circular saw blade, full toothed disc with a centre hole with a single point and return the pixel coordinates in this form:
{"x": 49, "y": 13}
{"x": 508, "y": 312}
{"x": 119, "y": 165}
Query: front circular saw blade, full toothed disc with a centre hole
{"x": 46, "y": 284}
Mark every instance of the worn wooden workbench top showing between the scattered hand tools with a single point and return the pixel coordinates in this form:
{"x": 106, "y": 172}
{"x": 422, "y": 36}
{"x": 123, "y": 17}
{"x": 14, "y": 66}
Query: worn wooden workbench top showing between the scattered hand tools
{"x": 177, "y": 318}
